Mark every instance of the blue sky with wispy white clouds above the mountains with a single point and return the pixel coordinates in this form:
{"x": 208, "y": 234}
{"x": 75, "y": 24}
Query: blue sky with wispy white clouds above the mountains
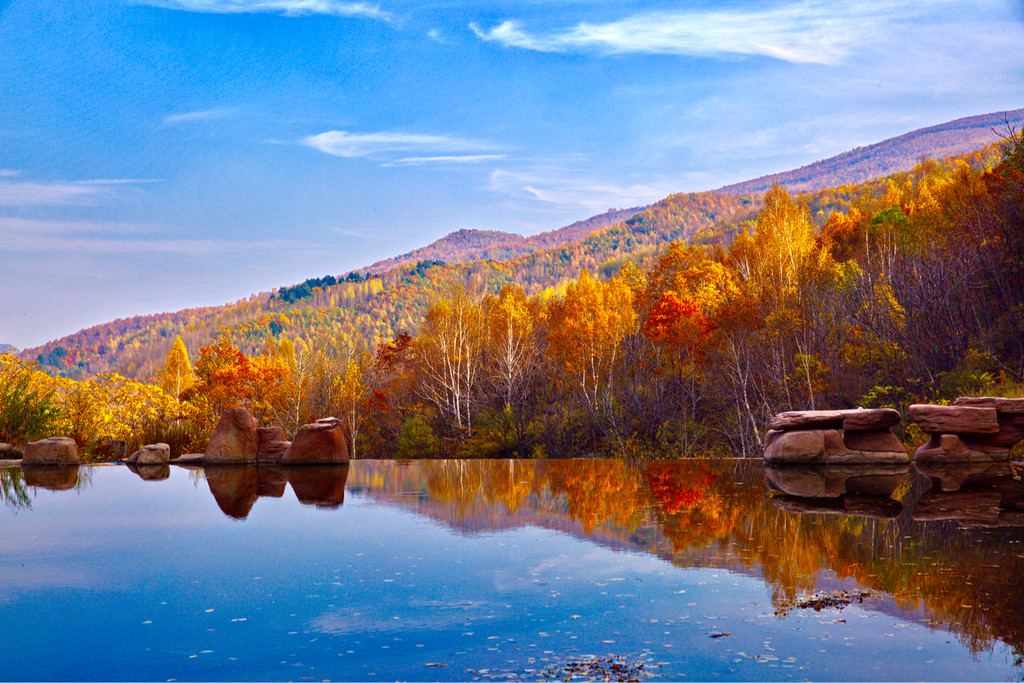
{"x": 157, "y": 155}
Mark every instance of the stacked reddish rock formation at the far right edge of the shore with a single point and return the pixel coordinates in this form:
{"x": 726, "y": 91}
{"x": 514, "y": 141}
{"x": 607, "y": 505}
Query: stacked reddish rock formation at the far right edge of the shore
{"x": 973, "y": 430}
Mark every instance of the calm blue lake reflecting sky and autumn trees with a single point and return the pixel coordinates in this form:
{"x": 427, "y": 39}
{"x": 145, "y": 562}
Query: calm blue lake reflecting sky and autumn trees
{"x": 513, "y": 570}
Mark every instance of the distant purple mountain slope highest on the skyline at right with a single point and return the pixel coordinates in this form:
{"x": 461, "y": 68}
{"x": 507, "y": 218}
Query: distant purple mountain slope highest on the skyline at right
{"x": 892, "y": 156}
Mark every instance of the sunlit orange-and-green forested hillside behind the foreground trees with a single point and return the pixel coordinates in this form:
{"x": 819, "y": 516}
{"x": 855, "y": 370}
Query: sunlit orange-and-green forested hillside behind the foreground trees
{"x": 355, "y": 313}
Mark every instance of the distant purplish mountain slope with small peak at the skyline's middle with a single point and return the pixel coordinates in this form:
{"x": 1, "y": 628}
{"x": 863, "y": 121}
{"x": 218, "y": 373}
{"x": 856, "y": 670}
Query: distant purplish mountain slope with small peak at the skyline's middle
{"x": 470, "y": 245}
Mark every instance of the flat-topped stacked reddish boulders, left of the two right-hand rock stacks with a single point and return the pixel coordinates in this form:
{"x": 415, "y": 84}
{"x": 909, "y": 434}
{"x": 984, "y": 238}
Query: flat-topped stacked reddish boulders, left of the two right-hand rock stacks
{"x": 825, "y": 438}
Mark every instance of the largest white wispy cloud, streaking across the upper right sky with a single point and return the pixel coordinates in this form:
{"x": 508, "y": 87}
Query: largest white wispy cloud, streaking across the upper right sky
{"x": 802, "y": 32}
